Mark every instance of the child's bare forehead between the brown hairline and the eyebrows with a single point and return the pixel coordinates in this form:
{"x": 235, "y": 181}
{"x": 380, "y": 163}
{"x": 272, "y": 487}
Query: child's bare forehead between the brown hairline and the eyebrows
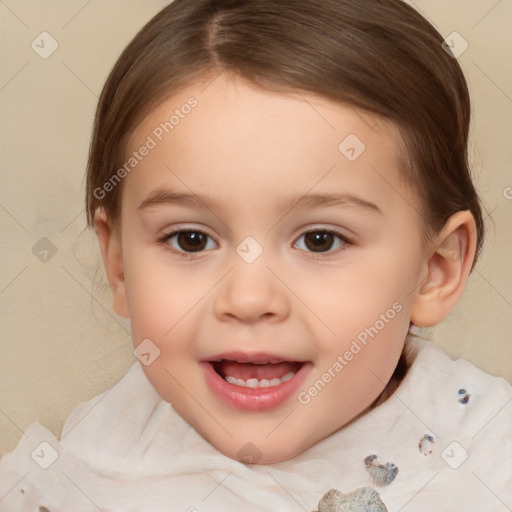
{"x": 226, "y": 136}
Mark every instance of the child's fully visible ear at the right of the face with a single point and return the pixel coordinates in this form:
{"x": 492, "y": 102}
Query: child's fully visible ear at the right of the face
{"x": 447, "y": 271}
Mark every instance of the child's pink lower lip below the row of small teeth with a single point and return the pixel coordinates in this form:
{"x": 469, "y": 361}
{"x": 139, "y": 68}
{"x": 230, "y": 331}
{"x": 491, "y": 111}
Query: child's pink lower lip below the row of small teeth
{"x": 250, "y": 399}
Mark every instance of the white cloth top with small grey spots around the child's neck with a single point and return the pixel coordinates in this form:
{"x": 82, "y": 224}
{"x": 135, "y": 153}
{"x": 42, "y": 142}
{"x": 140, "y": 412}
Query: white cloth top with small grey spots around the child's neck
{"x": 128, "y": 450}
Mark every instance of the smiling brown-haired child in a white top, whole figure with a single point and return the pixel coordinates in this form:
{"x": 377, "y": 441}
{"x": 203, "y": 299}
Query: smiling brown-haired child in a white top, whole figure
{"x": 282, "y": 197}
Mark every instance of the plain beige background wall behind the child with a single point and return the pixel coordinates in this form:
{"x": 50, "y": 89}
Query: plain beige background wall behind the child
{"x": 60, "y": 341}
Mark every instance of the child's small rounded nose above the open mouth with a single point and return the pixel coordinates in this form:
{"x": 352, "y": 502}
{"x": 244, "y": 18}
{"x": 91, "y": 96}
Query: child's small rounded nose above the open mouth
{"x": 251, "y": 293}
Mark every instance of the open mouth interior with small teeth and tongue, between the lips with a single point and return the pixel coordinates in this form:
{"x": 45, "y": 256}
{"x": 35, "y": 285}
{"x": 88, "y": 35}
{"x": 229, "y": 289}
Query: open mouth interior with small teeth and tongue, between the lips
{"x": 256, "y": 375}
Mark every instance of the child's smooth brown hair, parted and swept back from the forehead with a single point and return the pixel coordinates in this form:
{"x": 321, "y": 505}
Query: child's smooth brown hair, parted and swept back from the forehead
{"x": 378, "y": 55}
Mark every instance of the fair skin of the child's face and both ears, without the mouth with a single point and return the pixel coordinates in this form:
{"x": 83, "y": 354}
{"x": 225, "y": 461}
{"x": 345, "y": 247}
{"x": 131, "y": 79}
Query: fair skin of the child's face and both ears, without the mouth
{"x": 247, "y": 149}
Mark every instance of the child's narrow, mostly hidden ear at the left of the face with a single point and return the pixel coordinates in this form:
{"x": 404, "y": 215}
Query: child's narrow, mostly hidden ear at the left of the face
{"x": 110, "y": 245}
